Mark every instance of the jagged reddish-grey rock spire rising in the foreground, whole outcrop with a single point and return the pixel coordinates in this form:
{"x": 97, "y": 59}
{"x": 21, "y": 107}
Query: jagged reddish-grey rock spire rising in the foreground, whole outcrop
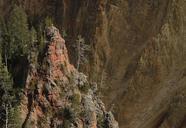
{"x": 57, "y": 95}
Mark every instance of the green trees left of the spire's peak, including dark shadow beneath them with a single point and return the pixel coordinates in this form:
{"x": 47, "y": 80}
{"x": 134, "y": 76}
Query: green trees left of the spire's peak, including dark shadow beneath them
{"x": 19, "y": 40}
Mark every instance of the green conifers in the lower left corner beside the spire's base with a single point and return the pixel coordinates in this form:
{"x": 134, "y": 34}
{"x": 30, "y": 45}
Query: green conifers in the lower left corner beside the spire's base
{"x": 7, "y": 99}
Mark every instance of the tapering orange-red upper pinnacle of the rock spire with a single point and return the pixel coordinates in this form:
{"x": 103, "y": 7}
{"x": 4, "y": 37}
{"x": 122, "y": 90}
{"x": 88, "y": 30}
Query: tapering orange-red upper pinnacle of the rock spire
{"x": 58, "y": 56}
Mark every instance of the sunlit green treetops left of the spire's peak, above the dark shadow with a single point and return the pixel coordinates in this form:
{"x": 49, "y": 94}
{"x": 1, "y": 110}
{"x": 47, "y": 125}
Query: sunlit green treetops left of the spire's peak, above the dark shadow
{"x": 17, "y": 36}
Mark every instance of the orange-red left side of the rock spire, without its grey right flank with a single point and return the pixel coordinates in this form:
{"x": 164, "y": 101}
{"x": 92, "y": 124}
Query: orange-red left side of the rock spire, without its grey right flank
{"x": 39, "y": 91}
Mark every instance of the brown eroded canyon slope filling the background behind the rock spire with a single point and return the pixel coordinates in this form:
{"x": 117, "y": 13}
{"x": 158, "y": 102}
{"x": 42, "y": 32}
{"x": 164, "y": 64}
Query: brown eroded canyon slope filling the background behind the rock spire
{"x": 138, "y": 54}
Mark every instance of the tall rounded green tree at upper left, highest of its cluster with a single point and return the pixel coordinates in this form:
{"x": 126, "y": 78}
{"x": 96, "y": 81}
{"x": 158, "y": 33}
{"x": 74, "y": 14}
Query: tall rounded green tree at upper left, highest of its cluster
{"x": 19, "y": 33}
